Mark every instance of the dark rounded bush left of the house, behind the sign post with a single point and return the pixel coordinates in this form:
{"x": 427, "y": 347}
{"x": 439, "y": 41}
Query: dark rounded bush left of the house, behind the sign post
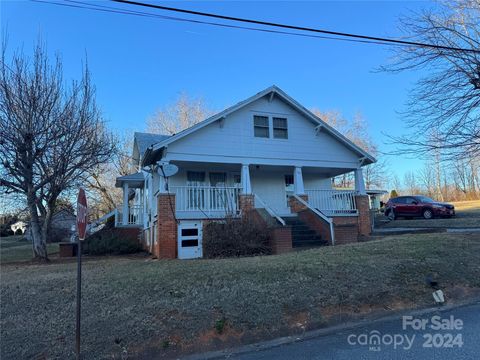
{"x": 108, "y": 242}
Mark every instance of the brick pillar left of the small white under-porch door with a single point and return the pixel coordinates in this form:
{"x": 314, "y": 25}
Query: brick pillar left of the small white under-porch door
{"x": 166, "y": 246}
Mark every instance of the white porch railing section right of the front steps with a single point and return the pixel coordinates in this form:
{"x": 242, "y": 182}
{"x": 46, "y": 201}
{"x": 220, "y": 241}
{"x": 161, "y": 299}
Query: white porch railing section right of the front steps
{"x": 333, "y": 202}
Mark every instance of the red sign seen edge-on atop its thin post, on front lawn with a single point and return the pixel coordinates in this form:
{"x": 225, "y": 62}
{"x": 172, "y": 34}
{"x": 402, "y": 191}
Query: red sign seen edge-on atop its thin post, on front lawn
{"x": 82, "y": 229}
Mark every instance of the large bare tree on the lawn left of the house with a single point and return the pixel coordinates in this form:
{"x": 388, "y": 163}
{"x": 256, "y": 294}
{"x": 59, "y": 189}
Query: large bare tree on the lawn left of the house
{"x": 51, "y": 135}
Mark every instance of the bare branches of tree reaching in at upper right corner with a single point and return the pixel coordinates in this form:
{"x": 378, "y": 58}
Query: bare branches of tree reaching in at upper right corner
{"x": 443, "y": 110}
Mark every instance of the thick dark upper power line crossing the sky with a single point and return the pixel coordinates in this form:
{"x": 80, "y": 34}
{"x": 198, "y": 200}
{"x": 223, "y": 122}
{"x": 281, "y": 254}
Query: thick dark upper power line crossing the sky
{"x": 292, "y": 27}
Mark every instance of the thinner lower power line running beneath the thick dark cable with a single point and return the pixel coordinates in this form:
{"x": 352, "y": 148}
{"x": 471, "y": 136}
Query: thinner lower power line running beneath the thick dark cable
{"x": 110, "y": 9}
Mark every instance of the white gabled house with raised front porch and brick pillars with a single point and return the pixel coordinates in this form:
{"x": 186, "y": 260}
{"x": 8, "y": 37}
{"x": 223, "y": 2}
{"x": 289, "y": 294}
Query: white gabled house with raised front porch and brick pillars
{"x": 267, "y": 155}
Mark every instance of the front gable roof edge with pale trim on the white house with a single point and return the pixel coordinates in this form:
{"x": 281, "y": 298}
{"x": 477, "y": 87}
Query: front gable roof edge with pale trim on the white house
{"x": 152, "y": 151}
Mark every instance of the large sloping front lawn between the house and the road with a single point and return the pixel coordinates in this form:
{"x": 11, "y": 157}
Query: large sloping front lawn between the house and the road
{"x": 138, "y": 306}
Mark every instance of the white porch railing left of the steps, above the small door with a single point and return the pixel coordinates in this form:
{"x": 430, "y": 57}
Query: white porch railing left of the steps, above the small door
{"x": 206, "y": 199}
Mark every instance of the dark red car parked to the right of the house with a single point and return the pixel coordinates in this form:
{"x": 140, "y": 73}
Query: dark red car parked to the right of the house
{"x": 417, "y": 206}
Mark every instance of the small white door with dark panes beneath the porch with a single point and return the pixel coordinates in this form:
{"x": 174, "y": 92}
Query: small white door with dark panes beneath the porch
{"x": 190, "y": 240}
